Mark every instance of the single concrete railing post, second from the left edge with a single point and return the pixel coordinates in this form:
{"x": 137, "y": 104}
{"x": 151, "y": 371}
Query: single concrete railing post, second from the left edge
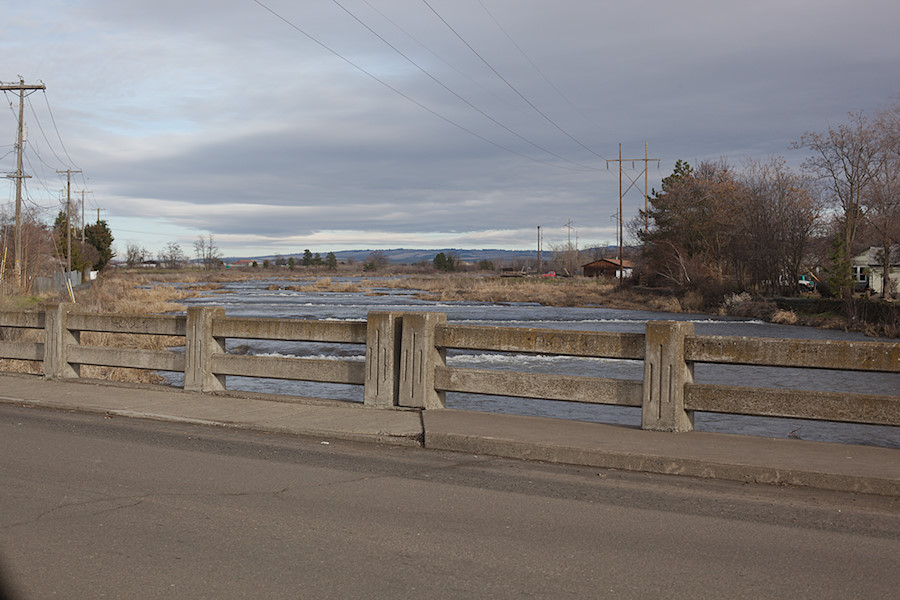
{"x": 200, "y": 347}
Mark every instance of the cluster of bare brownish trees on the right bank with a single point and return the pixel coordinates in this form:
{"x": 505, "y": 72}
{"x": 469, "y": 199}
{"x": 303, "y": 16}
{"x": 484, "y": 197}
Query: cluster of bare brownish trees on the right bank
{"x": 761, "y": 227}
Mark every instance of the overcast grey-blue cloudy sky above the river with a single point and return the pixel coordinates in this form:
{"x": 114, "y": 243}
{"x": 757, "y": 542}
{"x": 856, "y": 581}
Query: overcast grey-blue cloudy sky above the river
{"x": 280, "y": 125}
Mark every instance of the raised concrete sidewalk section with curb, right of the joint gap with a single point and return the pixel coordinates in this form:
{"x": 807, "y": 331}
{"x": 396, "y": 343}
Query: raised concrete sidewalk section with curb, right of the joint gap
{"x": 836, "y": 467}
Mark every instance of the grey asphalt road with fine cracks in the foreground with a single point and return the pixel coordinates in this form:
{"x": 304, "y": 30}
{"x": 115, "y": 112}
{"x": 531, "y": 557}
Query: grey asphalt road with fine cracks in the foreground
{"x": 93, "y": 507}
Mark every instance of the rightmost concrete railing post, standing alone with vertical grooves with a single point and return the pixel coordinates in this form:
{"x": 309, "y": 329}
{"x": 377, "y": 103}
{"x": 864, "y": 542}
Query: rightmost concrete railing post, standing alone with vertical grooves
{"x": 665, "y": 374}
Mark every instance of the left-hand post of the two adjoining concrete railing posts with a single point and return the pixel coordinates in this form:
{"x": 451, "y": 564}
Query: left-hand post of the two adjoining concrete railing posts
{"x": 383, "y": 338}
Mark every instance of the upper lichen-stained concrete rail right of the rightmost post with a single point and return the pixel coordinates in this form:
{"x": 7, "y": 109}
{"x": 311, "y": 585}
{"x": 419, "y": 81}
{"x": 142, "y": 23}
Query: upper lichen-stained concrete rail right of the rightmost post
{"x": 815, "y": 354}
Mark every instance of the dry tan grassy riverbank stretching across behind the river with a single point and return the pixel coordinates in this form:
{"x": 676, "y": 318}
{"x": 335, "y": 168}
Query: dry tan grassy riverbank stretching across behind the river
{"x": 160, "y": 292}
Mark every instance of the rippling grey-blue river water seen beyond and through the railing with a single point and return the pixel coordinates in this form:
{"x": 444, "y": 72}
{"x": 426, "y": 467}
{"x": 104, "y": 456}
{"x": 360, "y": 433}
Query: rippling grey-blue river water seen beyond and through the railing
{"x": 253, "y": 299}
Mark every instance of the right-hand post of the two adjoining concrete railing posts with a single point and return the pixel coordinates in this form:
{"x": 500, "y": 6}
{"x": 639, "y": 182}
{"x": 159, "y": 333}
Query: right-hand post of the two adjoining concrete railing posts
{"x": 418, "y": 358}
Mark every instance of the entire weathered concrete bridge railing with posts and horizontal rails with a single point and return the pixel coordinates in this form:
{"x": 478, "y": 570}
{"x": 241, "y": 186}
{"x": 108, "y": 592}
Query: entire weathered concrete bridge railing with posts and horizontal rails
{"x": 406, "y": 363}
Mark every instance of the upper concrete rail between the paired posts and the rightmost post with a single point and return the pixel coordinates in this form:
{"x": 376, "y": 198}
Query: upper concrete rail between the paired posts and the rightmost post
{"x": 542, "y": 341}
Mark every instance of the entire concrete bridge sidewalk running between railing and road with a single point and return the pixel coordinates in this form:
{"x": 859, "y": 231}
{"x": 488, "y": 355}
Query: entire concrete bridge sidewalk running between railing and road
{"x": 840, "y": 467}
